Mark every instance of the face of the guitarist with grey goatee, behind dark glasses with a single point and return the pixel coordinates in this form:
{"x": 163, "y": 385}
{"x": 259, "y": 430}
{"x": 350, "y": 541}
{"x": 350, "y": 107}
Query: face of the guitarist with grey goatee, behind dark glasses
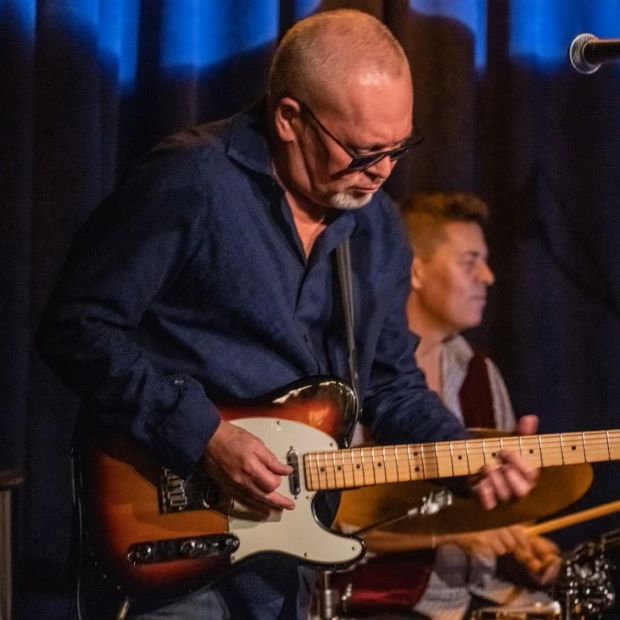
{"x": 372, "y": 117}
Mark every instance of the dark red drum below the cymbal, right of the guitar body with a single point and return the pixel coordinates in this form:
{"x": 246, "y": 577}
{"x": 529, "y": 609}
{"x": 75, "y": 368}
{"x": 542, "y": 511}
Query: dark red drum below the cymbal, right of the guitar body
{"x": 383, "y": 584}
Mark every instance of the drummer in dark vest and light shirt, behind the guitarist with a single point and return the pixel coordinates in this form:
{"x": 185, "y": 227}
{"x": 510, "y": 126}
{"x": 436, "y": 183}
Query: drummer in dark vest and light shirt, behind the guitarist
{"x": 449, "y": 281}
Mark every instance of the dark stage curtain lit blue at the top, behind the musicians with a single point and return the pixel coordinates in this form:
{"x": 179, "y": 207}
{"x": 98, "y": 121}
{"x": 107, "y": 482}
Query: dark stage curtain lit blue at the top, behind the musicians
{"x": 87, "y": 85}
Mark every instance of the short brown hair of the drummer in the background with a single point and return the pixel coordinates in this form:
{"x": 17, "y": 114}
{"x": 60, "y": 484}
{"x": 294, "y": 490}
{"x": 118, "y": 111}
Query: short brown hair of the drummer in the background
{"x": 426, "y": 213}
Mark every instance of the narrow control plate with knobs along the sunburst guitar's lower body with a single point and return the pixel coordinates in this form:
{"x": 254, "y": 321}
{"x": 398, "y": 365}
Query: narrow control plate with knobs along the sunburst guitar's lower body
{"x": 173, "y": 549}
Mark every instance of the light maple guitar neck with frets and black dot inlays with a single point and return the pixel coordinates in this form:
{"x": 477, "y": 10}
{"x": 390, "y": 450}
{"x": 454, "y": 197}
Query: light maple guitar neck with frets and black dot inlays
{"x": 368, "y": 466}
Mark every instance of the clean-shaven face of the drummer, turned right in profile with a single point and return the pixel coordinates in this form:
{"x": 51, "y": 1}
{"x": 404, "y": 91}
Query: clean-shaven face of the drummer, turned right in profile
{"x": 451, "y": 284}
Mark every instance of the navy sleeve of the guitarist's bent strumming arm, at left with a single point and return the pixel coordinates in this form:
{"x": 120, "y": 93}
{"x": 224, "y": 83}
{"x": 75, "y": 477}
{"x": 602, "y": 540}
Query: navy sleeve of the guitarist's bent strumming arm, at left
{"x": 130, "y": 250}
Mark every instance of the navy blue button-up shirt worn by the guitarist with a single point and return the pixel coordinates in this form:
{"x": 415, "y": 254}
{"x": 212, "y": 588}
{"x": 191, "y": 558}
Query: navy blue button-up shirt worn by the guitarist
{"x": 189, "y": 284}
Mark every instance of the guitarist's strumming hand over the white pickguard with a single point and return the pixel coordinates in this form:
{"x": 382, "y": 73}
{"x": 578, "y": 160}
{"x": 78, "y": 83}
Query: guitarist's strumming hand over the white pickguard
{"x": 245, "y": 469}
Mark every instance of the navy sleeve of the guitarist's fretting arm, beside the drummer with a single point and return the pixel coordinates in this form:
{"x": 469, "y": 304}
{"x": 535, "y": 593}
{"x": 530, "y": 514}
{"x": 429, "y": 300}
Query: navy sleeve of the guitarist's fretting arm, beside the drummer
{"x": 398, "y": 406}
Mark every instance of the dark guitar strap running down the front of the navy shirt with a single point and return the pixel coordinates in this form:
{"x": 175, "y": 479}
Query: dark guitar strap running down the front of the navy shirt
{"x": 345, "y": 278}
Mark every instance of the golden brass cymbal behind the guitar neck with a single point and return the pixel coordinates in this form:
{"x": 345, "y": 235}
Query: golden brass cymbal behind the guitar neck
{"x": 373, "y": 507}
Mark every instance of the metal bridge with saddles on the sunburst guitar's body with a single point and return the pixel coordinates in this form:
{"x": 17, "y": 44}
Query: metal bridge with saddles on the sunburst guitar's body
{"x": 178, "y": 494}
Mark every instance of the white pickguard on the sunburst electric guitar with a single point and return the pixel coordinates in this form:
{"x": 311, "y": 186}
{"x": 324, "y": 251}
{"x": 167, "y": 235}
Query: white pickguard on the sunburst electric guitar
{"x": 294, "y": 532}
